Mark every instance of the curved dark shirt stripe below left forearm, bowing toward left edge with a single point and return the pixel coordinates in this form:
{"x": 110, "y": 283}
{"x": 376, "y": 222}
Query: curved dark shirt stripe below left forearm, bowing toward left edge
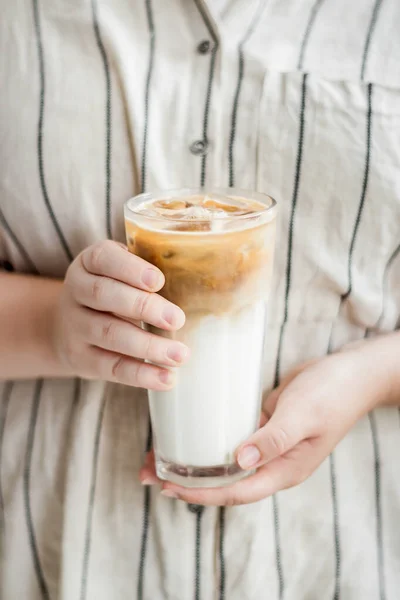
{"x": 27, "y": 490}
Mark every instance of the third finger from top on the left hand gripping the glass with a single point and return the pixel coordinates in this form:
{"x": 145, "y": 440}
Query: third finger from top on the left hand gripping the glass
{"x": 110, "y": 333}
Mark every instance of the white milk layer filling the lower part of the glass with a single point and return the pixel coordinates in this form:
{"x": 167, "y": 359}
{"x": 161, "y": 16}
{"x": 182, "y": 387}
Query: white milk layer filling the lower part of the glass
{"x": 216, "y": 403}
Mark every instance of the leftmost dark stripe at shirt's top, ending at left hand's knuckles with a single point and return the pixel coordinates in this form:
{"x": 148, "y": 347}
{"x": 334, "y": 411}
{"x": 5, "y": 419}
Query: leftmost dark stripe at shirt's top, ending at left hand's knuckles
{"x": 46, "y": 198}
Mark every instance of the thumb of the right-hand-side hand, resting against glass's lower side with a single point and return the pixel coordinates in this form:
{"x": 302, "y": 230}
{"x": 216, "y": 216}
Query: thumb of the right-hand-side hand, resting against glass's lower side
{"x": 278, "y": 436}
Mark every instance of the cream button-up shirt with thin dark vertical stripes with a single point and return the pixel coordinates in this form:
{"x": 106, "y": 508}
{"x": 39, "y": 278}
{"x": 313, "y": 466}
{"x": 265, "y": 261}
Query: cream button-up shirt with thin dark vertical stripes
{"x": 299, "y": 99}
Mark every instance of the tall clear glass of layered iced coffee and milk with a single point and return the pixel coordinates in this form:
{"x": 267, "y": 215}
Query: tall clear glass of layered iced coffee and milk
{"x": 216, "y": 250}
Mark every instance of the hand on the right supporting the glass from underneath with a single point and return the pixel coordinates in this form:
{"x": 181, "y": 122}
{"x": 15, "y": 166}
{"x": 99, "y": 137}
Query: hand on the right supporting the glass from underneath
{"x": 306, "y": 416}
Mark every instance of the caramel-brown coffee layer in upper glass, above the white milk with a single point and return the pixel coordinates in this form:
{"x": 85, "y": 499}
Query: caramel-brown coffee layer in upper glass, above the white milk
{"x": 208, "y": 273}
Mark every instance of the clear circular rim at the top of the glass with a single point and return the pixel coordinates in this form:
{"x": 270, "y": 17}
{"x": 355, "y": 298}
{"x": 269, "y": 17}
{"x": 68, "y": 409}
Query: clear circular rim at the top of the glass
{"x": 132, "y": 203}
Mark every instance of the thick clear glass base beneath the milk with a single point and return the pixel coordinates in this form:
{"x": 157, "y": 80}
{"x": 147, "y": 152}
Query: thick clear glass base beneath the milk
{"x": 199, "y": 477}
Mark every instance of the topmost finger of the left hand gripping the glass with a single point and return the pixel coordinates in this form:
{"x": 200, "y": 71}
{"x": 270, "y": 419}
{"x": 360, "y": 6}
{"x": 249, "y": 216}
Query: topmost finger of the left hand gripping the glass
{"x": 110, "y": 259}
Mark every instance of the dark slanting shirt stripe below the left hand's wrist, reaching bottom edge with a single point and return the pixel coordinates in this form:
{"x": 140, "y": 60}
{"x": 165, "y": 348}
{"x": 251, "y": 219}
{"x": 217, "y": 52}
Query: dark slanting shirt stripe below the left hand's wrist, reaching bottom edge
{"x": 92, "y": 494}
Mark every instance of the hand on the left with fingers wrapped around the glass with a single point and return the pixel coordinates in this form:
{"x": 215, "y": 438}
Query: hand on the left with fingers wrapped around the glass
{"x": 105, "y": 289}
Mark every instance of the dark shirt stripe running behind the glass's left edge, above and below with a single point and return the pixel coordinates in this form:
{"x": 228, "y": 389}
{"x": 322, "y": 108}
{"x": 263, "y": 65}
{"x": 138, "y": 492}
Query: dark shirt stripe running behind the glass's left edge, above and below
{"x": 147, "y": 490}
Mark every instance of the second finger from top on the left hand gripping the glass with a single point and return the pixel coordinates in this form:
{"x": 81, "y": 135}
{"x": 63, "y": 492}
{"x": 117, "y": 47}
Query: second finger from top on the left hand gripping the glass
{"x": 108, "y": 295}
